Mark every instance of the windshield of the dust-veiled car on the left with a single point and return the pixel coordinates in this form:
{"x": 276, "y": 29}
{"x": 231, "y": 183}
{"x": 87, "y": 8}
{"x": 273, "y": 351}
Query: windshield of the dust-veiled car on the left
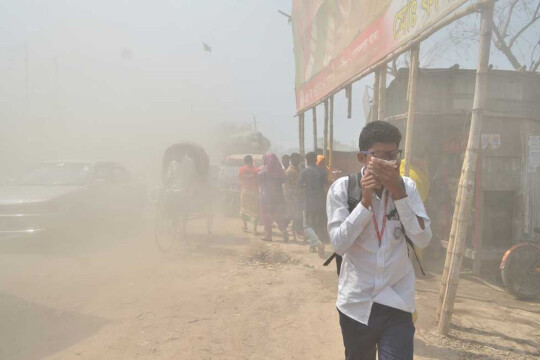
{"x": 56, "y": 174}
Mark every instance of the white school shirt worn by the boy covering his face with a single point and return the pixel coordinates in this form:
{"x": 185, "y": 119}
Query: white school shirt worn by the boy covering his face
{"x": 370, "y": 273}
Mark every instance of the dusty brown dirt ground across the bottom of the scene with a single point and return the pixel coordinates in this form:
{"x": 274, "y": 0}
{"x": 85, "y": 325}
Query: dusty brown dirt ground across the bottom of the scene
{"x": 218, "y": 297}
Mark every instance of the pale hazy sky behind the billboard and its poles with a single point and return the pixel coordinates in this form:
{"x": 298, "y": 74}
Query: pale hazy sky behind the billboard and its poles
{"x": 118, "y": 78}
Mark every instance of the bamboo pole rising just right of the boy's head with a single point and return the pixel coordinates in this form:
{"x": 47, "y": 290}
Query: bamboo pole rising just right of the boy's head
{"x": 411, "y": 114}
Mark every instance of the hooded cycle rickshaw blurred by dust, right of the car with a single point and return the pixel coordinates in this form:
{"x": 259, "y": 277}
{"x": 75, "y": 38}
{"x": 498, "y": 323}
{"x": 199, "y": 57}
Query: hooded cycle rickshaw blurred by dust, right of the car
{"x": 185, "y": 194}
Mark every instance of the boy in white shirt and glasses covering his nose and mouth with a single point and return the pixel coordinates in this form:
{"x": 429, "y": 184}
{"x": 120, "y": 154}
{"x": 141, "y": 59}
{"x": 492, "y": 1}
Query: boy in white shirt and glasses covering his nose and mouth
{"x": 376, "y": 284}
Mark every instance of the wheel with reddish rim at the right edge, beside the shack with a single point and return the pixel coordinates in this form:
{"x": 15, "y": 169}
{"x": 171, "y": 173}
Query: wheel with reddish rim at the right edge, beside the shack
{"x": 520, "y": 268}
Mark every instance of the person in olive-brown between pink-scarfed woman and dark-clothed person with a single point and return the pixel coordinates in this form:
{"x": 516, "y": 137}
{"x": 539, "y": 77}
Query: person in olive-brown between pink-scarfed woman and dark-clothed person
{"x": 293, "y": 196}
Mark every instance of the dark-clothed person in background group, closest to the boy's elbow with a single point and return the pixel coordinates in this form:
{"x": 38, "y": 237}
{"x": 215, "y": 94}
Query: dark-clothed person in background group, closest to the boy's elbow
{"x": 313, "y": 183}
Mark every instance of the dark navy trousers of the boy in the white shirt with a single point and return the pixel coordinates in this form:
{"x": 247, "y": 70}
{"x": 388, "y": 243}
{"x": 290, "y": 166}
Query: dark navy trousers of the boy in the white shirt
{"x": 389, "y": 330}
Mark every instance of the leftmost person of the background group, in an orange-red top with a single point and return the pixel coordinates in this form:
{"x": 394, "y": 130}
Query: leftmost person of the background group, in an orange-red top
{"x": 249, "y": 194}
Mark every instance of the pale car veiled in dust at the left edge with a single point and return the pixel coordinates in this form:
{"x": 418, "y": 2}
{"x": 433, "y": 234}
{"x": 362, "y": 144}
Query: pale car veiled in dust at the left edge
{"x": 67, "y": 195}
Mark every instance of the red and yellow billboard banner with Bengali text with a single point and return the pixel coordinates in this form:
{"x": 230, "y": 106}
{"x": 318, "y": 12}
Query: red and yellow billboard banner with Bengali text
{"x": 335, "y": 40}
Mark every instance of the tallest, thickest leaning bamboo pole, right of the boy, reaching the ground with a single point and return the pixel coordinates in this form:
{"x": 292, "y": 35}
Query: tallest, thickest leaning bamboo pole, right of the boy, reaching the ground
{"x": 466, "y": 182}
